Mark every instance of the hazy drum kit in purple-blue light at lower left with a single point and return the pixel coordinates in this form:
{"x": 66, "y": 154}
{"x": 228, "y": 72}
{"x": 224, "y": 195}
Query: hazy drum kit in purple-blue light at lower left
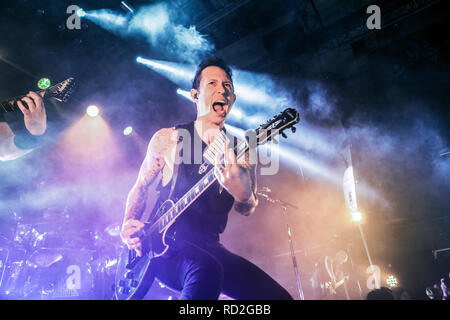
{"x": 49, "y": 260}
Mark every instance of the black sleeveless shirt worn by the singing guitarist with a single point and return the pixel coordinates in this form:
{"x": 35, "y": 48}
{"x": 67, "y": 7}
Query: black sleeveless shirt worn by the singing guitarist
{"x": 207, "y": 217}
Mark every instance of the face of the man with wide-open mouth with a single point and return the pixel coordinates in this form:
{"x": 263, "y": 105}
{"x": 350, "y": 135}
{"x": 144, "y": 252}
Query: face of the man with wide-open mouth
{"x": 215, "y": 96}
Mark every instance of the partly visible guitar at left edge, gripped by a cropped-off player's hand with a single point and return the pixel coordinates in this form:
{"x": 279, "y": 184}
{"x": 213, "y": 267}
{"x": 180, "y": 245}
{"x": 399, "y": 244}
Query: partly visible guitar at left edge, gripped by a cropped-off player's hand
{"x": 61, "y": 92}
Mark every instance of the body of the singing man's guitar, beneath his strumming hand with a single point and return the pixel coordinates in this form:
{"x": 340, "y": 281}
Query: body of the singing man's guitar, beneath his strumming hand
{"x": 134, "y": 276}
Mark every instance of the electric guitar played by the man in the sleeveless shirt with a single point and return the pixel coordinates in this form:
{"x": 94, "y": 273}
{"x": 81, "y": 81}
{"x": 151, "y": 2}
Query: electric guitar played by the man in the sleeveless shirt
{"x": 133, "y": 275}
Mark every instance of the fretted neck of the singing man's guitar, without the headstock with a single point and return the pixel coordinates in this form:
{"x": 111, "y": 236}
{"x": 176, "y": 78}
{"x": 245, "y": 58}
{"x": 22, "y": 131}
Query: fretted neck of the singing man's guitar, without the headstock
{"x": 189, "y": 197}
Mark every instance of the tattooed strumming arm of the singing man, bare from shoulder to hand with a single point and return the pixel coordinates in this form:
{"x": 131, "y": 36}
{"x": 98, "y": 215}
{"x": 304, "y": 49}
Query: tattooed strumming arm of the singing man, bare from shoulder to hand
{"x": 152, "y": 165}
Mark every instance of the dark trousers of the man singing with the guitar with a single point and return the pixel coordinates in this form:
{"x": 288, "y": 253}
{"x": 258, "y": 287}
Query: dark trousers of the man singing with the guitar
{"x": 202, "y": 273}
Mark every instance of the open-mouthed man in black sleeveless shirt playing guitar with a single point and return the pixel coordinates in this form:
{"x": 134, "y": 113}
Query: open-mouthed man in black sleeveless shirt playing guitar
{"x": 197, "y": 264}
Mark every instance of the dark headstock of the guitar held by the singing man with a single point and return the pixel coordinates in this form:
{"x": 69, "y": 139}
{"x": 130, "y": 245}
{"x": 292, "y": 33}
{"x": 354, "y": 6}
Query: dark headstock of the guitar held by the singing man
{"x": 277, "y": 125}
